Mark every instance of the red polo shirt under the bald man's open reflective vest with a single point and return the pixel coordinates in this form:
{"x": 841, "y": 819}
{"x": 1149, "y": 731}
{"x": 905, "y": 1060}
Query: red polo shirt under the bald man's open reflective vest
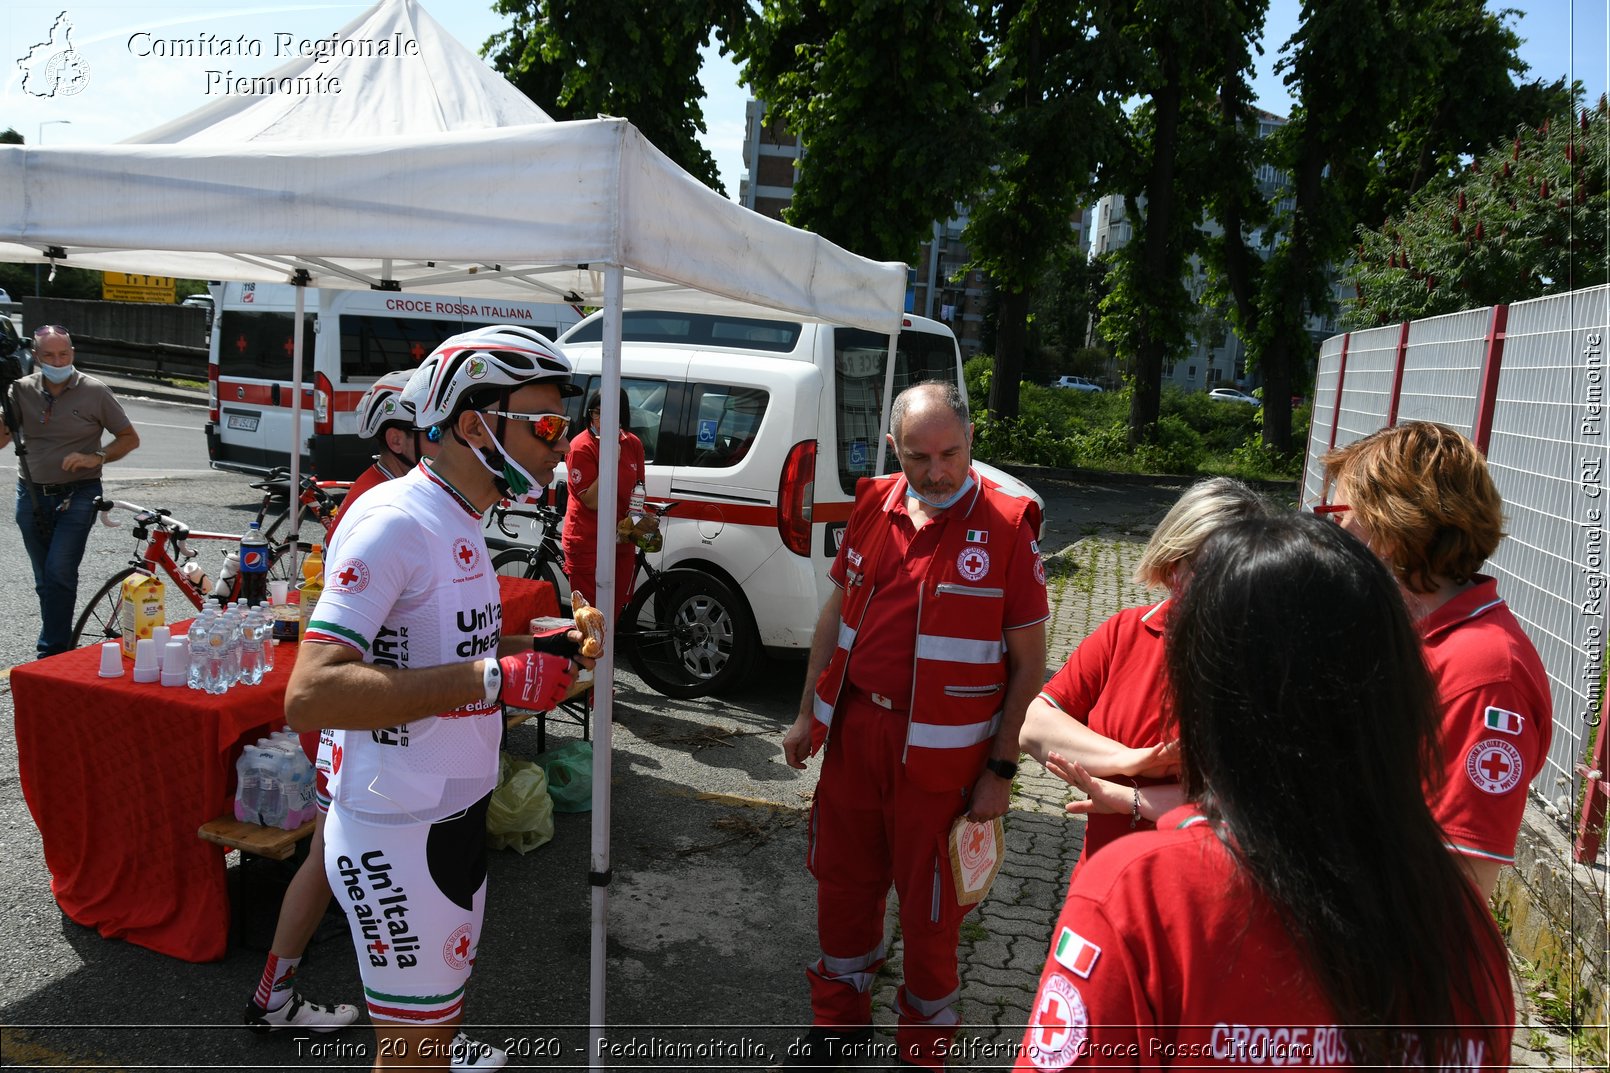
{"x": 886, "y": 642}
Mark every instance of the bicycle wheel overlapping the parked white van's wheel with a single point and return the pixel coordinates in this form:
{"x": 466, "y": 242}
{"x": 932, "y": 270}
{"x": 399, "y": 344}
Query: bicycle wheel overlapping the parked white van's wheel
{"x": 688, "y": 634}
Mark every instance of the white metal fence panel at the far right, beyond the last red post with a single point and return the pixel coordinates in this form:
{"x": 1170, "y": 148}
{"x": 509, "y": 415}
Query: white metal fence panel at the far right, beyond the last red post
{"x": 1548, "y": 458}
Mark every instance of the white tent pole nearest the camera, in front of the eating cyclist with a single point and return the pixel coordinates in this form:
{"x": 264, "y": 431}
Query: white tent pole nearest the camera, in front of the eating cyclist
{"x": 605, "y": 674}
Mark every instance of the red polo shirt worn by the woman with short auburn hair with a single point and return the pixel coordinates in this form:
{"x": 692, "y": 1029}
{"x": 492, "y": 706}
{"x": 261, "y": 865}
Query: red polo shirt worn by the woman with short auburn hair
{"x": 1498, "y": 719}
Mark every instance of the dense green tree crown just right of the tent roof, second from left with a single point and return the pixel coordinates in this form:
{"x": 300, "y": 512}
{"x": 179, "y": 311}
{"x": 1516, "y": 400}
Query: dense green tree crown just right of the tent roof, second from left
{"x": 883, "y": 96}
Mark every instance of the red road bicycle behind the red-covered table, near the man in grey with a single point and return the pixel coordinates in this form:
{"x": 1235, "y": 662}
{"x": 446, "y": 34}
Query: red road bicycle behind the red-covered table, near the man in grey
{"x": 162, "y": 544}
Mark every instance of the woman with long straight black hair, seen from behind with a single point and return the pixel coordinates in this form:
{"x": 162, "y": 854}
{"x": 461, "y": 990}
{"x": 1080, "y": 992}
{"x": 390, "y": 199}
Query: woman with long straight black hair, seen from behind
{"x": 1300, "y": 909}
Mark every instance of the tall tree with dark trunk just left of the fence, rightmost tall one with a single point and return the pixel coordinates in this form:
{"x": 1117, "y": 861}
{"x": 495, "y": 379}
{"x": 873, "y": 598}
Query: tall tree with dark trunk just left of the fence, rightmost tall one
{"x": 1376, "y": 114}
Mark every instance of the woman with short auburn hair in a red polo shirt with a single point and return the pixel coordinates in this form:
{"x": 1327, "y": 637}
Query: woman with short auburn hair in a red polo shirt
{"x": 1422, "y": 499}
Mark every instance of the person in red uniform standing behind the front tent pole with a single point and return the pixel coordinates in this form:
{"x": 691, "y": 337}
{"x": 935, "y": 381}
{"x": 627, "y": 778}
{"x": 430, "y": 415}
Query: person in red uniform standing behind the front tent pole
{"x": 582, "y": 512}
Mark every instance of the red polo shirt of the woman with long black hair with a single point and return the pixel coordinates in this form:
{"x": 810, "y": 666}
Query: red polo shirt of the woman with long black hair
{"x": 1162, "y": 956}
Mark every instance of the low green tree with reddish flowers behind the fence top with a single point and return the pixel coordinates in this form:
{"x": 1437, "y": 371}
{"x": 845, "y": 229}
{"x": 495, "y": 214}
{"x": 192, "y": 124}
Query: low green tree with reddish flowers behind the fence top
{"x": 1529, "y": 218}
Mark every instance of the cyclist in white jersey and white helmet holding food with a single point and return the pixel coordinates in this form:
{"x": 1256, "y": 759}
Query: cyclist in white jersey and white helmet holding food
{"x": 405, "y": 660}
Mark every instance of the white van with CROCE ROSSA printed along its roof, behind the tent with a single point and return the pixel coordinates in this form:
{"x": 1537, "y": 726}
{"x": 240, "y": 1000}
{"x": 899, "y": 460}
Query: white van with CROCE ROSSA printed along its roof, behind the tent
{"x": 352, "y": 338}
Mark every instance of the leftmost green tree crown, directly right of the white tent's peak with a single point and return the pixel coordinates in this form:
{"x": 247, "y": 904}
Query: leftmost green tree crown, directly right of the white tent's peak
{"x": 616, "y": 59}
